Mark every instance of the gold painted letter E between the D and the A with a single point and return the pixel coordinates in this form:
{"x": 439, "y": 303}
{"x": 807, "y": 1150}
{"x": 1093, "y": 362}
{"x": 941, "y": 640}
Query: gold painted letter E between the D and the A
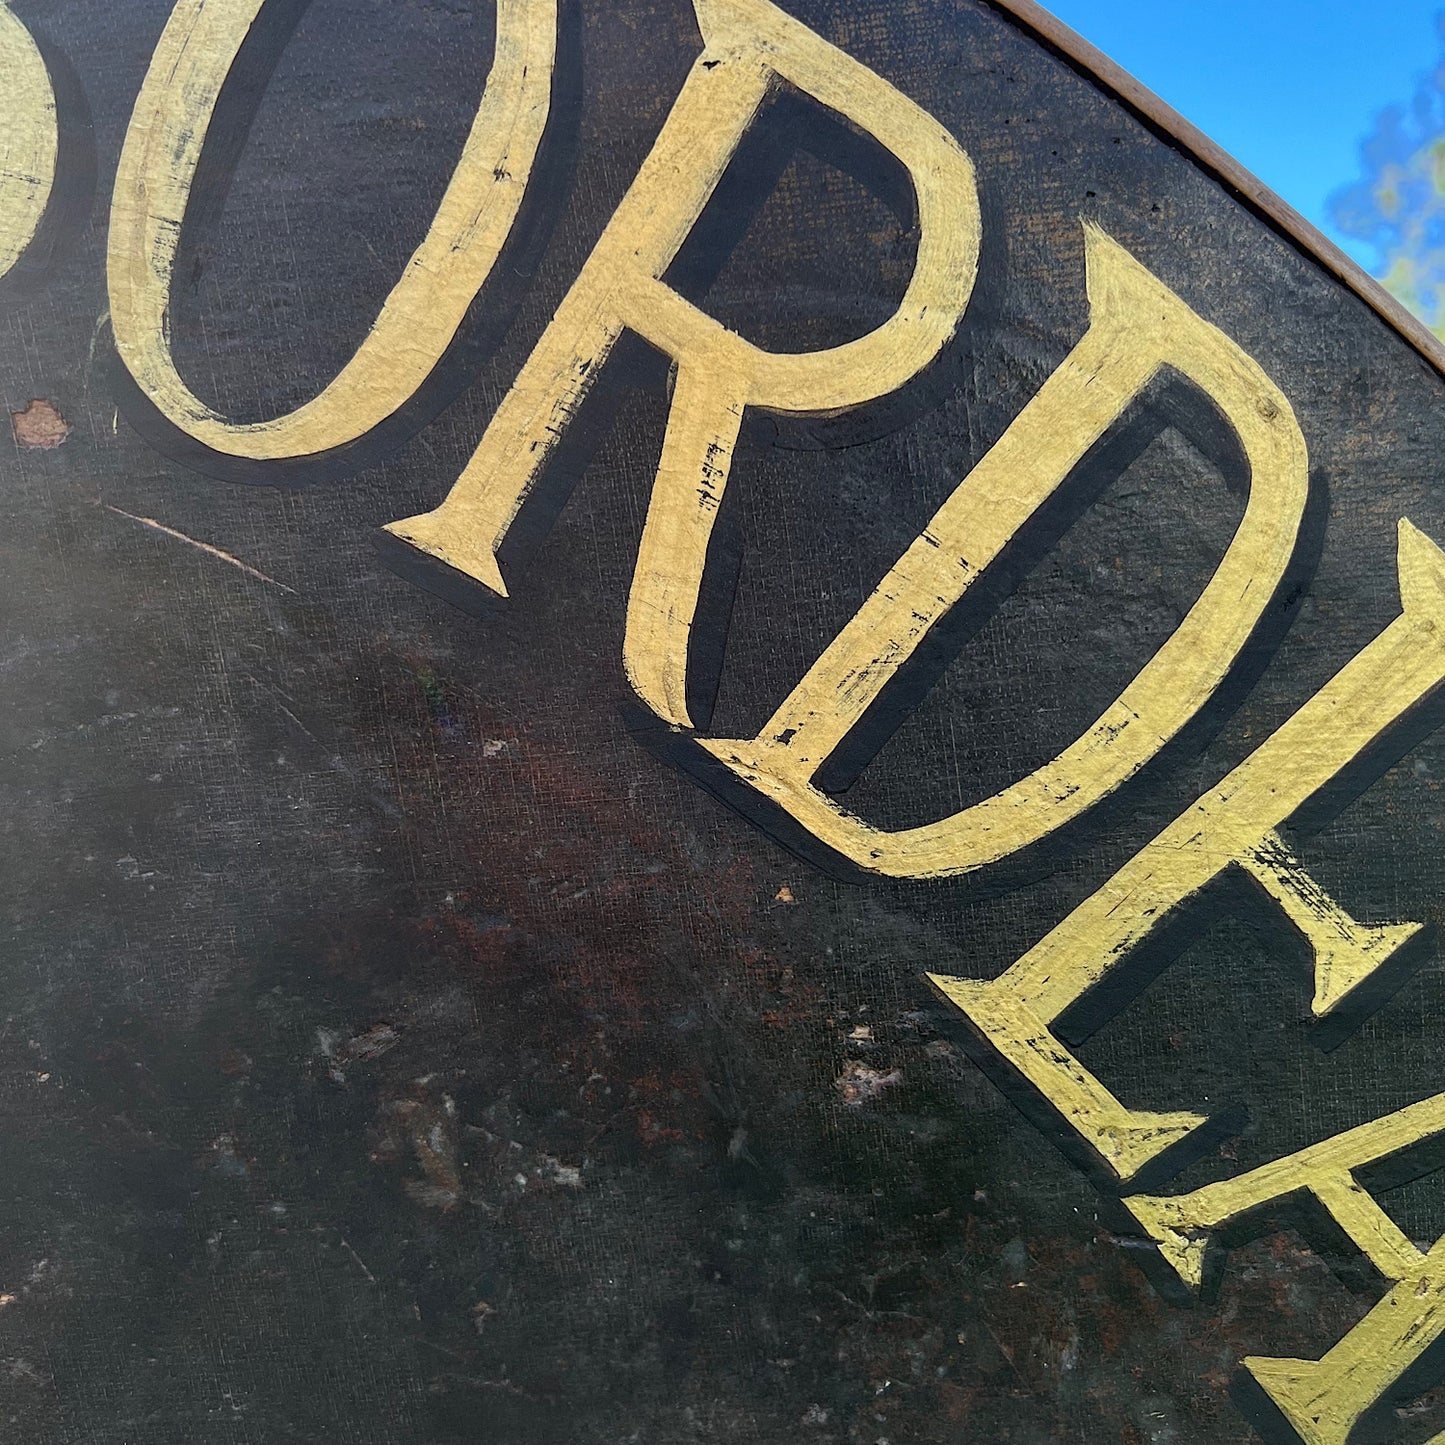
{"x": 1233, "y": 826}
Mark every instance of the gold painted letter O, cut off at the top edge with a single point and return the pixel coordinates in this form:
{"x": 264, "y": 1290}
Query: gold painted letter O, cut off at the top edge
{"x": 426, "y": 309}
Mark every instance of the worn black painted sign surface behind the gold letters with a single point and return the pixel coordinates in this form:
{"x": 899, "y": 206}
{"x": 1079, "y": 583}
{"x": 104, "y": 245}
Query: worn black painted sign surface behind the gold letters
{"x": 397, "y": 1048}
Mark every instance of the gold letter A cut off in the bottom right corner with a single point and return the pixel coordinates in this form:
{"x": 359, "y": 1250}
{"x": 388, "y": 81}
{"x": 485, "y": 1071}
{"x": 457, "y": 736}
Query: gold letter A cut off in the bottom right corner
{"x": 1324, "y": 1399}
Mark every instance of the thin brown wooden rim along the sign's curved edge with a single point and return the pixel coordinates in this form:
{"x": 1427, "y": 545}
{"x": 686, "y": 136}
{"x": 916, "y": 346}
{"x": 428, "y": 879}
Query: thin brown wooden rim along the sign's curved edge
{"x": 1171, "y": 126}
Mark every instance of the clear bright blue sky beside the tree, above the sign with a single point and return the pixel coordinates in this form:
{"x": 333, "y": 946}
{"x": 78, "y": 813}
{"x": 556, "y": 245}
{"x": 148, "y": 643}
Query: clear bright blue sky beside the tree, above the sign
{"x": 1291, "y": 87}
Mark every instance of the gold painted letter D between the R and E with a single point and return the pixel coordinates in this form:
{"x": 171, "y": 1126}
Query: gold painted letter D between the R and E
{"x": 1136, "y": 327}
